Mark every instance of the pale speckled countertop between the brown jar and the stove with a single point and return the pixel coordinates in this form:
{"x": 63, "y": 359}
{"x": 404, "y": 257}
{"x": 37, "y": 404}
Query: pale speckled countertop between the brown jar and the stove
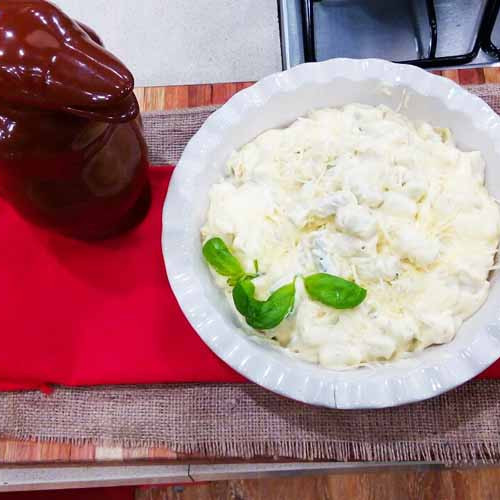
{"x": 170, "y": 42}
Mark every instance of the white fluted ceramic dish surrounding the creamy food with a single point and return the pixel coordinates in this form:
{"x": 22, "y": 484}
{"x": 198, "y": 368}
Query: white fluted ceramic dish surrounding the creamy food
{"x": 274, "y": 102}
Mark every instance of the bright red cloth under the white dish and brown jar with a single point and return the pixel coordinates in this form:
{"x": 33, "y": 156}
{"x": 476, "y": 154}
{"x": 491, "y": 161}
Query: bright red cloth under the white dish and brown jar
{"x": 77, "y": 313}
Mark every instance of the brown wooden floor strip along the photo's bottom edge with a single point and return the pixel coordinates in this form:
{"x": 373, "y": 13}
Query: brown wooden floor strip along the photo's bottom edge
{"x": 450, "y": 485}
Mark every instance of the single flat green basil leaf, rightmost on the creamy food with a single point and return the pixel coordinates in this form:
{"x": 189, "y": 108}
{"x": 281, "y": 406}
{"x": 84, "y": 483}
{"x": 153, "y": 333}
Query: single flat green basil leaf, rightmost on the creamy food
{"x": 334, "y": 291}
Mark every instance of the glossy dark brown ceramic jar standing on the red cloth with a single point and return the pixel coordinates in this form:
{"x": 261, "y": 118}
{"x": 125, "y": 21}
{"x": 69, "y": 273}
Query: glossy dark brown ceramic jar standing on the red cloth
{"x": 72, "y": 153}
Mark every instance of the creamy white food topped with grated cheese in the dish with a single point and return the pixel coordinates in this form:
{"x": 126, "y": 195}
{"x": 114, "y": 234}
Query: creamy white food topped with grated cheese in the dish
{"x": 363, "y": 193}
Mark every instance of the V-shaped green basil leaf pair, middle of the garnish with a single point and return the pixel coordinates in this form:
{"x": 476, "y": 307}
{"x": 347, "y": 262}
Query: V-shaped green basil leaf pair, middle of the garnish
{"x": 263, "y": 315}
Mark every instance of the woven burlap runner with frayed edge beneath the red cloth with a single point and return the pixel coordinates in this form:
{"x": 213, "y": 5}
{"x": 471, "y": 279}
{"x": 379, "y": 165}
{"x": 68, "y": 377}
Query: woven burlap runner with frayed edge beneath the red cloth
{"x": 461, "y": 426}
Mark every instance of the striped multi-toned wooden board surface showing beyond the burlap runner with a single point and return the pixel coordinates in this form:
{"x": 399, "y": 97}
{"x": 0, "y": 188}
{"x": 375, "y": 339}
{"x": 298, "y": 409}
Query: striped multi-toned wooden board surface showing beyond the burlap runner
{"x": 152, "y": 99}
